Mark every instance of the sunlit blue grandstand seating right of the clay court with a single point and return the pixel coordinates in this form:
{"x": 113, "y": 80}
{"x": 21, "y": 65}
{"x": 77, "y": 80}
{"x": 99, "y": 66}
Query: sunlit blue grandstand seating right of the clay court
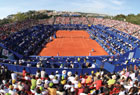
{"x": 114, "y": 40}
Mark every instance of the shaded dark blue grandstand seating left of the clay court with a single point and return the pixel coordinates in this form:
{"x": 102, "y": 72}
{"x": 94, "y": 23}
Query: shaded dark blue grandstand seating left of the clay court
{"x": 26, "y": 42}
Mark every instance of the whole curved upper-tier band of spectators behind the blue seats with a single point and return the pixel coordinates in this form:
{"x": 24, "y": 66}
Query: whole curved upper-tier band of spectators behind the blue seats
{"x": 123, "y": 26}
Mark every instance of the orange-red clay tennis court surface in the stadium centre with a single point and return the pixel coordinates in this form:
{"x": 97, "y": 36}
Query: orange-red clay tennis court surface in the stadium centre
{"x": 72, "y": 43}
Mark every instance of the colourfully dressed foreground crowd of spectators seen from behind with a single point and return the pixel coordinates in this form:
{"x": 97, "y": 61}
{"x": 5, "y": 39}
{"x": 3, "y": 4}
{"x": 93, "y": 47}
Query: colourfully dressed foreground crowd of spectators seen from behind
{"x": 125, "y": 82}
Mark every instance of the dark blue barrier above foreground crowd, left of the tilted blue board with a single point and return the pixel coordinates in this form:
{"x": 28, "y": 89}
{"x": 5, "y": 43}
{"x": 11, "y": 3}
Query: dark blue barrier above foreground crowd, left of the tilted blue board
{"x": 32, "y": 70}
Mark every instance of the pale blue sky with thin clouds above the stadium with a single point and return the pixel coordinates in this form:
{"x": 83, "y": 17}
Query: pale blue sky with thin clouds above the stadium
{"x": 110, "y": 7}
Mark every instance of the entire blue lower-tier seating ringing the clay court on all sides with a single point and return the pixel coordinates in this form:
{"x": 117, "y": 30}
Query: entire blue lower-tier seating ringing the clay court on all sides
{"x": 30, "y": 41}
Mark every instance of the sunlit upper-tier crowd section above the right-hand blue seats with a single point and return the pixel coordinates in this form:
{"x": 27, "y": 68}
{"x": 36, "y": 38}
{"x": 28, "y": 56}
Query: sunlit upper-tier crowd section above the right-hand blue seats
{"x": 126, "y": 27}
